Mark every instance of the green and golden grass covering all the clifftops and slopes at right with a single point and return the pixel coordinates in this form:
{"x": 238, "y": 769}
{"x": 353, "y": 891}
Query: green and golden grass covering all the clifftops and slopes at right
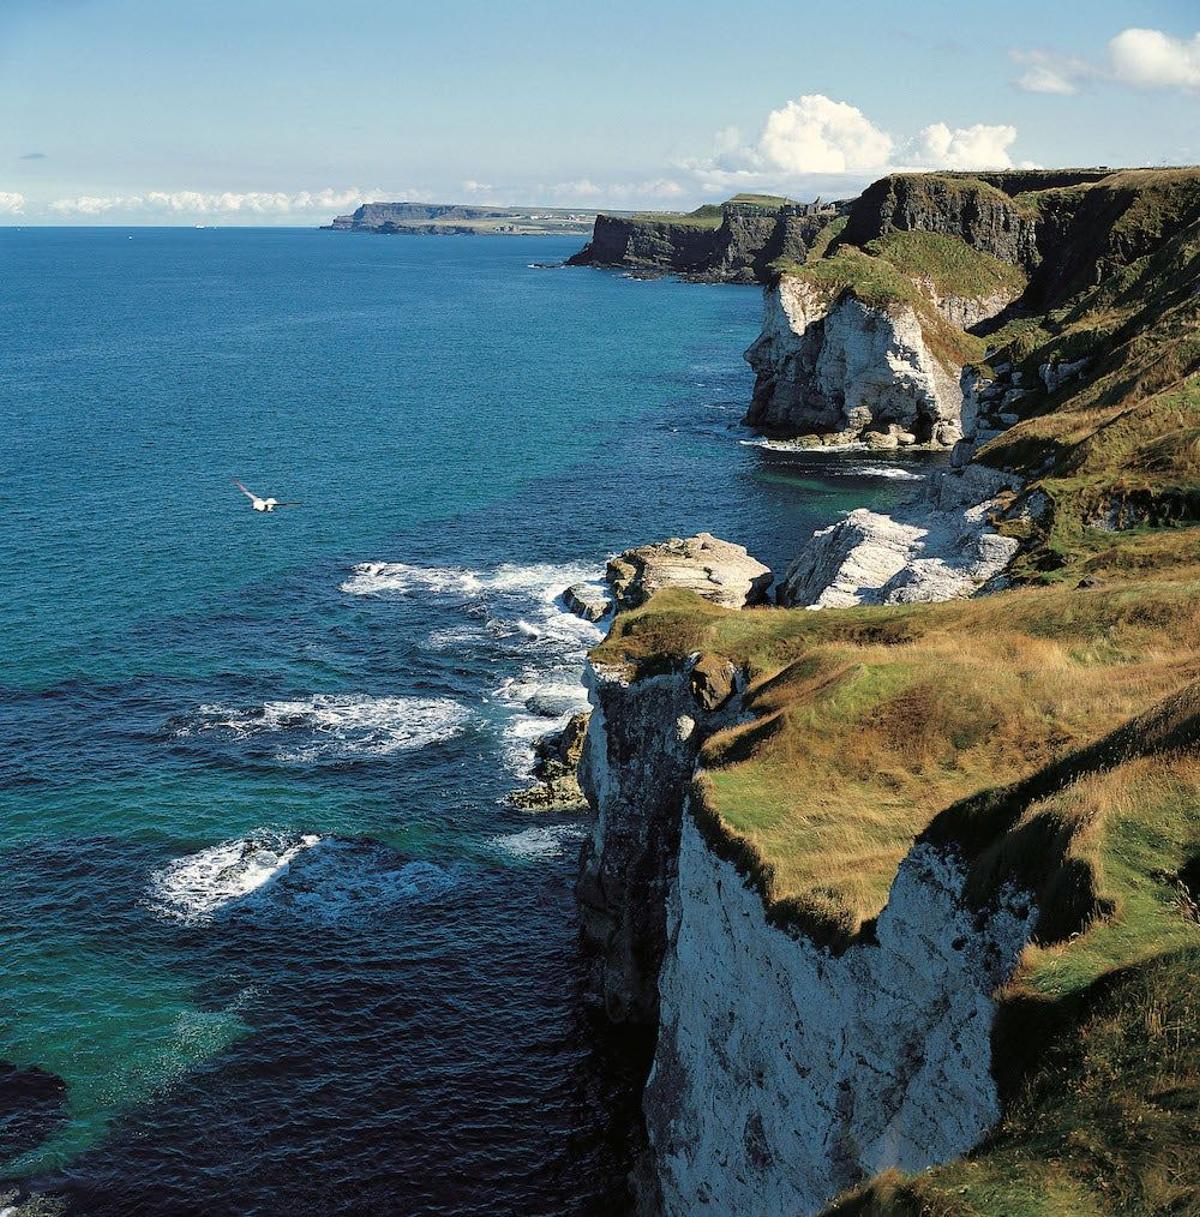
{"x": 988, "y": 722}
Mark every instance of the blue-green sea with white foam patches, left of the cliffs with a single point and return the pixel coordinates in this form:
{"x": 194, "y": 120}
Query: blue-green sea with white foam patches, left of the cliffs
{"x": 273, "y": 941}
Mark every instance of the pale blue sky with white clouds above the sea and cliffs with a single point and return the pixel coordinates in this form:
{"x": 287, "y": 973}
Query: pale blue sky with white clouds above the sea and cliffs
{"x": 293, "y": 111}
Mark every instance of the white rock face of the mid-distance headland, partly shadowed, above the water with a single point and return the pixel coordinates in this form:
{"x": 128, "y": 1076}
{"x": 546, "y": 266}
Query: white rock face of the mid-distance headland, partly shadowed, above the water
{"x": 849, "y": 371}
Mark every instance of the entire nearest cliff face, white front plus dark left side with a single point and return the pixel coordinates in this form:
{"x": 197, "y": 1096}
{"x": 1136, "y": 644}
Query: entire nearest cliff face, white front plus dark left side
{"x": 784, "y": 1073}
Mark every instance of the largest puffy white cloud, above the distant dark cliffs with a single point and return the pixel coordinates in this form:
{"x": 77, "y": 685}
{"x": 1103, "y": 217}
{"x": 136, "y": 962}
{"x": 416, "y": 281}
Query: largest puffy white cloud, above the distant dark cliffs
{"x": 820, "y": 136}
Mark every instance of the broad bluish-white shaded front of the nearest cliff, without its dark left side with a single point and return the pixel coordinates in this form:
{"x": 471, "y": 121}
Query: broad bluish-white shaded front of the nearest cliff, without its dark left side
{"x": 784, "y": 1074}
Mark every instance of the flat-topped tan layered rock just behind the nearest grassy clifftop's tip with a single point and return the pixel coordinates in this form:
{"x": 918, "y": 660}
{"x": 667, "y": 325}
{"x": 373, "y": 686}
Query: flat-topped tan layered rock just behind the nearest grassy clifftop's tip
{"x": 714, "y": 569}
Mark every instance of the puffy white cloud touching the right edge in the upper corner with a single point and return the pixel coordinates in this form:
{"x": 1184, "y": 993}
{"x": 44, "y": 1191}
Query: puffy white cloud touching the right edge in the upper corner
{"x": 1143, "y": 59}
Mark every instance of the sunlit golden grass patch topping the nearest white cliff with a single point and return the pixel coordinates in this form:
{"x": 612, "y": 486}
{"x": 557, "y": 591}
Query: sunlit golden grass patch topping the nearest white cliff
{"x": 870, "y": 721}
